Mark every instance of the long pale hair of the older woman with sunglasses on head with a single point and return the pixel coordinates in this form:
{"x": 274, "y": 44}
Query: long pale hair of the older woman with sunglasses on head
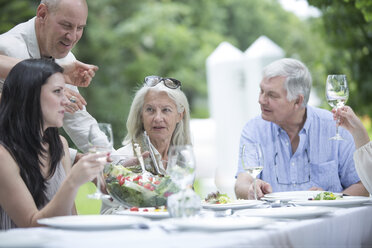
{"x": 135, "y": 128}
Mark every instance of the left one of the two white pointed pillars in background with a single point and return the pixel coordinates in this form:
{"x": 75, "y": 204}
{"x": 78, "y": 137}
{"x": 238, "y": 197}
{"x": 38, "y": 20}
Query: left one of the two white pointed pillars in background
{"x": 225, "y": 89}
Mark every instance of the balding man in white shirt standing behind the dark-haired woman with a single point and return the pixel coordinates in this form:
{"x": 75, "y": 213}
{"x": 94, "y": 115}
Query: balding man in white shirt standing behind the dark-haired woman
{"x": 55, "y": 30}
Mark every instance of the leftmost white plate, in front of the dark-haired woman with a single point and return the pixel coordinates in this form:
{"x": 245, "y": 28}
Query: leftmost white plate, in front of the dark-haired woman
{"x": 92, "y": 221}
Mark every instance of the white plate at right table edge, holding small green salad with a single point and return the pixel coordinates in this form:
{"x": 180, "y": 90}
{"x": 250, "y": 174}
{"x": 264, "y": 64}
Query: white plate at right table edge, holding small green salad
{"x": 345, "y": 201}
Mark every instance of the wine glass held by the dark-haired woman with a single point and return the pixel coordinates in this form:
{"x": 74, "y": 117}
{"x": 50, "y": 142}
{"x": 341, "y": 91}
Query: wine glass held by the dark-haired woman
{"x": 100, "y": 140}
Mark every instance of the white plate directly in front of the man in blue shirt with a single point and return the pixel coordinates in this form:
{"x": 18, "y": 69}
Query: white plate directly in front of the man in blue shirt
{"x": 291, "y": 195}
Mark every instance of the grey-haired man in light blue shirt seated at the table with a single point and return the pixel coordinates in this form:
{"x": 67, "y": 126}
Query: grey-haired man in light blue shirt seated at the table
{"x": 298, "y": 154}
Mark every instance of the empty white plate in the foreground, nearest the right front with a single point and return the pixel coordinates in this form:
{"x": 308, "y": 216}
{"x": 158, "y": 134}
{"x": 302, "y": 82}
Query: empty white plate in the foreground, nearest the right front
{"x": 286, "y": 212}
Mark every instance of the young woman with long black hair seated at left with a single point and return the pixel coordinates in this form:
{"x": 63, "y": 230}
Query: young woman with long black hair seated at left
{"x": 36, "y": 177}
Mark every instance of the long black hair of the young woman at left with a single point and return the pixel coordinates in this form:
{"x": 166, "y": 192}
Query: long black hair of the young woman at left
{"x": 21, "y": 123}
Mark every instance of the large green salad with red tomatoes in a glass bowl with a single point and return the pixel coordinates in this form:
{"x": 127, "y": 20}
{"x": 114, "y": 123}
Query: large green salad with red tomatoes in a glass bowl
{"x": 131, "y": 190}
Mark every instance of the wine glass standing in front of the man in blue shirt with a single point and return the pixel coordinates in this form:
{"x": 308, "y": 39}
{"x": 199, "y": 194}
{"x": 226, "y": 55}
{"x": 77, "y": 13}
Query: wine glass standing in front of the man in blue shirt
{"x": 252, "y": 161}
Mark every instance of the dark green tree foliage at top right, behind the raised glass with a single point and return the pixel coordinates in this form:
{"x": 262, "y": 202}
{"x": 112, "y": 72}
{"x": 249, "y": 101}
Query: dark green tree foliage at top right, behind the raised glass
{"x": 347, "y": 28}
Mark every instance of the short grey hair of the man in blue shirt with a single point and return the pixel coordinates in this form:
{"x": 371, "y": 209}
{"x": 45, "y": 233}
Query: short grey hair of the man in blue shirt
{"x": 298, "y": 78}
